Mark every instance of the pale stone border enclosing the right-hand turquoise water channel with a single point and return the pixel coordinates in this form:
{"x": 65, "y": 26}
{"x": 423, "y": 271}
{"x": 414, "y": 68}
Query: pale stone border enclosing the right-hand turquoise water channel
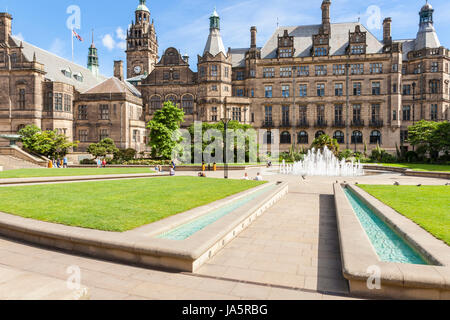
{"x": 398, "y": 281}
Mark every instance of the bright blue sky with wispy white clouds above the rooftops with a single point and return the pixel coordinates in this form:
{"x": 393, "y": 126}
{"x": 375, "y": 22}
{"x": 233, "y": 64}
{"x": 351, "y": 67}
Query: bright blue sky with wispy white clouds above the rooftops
{"x": 184, "y": 23}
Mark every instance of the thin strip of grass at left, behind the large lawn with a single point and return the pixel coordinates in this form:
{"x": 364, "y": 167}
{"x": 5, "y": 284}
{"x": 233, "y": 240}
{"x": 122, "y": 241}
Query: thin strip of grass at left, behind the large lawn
{"x": 35, "y": 173}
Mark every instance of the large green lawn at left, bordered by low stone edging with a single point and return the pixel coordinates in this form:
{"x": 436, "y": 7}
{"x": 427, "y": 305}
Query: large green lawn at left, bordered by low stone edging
{"x": 116, "y": 205}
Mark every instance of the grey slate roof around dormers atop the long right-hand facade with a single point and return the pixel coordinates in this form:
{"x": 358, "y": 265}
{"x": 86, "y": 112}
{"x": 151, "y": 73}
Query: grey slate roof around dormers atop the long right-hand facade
{"x": 303, "y": 40}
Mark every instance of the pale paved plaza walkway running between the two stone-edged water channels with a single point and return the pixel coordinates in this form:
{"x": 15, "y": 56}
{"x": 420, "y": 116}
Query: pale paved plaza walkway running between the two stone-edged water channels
{"x": 290, "y": 252}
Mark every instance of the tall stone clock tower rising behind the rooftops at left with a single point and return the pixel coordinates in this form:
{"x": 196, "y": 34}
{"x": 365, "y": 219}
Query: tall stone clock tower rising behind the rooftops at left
{"x": 142, "y": 43}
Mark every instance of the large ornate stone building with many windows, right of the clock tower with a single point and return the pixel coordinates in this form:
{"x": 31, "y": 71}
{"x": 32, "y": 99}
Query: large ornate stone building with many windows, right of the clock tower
{"x": 333, "y": 78}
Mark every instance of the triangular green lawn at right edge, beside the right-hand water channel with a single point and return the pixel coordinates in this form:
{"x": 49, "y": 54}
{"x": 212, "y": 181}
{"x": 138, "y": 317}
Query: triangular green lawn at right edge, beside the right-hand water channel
{"x": 428, "y": 206}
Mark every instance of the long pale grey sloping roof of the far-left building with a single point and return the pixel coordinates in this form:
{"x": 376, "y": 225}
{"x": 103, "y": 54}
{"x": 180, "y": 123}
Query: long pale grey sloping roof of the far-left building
{"x": 53, "y": 66}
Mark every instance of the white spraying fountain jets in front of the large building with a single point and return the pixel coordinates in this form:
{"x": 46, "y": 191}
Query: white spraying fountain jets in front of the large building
{"x": 323, "y": 163}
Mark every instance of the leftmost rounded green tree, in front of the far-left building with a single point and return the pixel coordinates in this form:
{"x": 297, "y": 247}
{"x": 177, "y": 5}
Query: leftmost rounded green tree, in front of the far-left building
{"x": 47, "y": 143}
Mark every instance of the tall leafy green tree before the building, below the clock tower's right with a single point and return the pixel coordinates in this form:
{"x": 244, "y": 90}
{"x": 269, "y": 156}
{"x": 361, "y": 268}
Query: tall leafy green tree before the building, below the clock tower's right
{"x": 162, "y": 128}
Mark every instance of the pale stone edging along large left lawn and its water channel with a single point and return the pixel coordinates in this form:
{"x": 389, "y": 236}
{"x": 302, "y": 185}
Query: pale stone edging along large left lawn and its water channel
{"x": 142, "y": 248}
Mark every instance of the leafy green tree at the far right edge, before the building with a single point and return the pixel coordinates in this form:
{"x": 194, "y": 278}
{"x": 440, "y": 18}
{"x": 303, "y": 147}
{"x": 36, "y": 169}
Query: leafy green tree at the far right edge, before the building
{"x": 432, "y": 136}
